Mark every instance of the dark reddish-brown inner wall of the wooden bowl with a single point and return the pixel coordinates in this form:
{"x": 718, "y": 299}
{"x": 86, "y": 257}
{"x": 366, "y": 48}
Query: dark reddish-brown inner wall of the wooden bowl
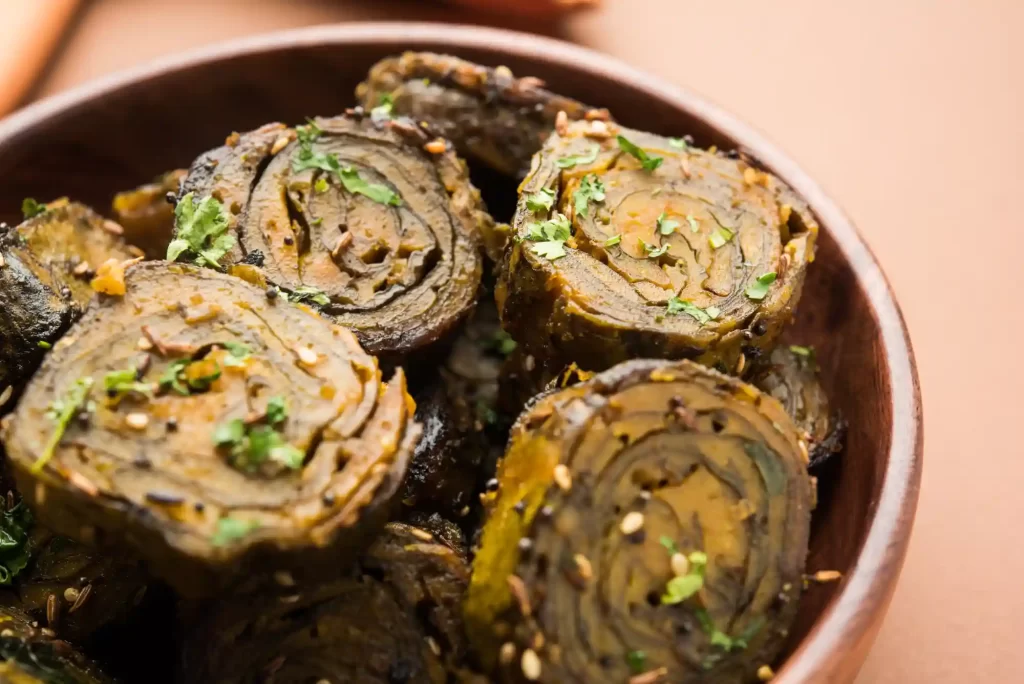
{"x": 95, "y": 148}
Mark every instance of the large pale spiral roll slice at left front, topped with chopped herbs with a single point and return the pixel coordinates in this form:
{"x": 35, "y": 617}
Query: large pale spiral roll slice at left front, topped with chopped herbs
{"x": 211, "y": 429}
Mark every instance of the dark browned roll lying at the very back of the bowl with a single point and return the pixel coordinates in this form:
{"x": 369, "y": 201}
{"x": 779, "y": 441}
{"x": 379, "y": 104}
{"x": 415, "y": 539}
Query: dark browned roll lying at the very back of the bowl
{"x": 489, "y": 114}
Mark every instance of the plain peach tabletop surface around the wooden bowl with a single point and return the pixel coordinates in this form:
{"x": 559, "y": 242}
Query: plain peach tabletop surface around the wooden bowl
{"x": 912, "y": 114}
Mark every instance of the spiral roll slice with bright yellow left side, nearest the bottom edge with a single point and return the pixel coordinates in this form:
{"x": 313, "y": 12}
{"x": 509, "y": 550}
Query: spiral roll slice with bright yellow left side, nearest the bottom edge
{"x": 651, "y": 522}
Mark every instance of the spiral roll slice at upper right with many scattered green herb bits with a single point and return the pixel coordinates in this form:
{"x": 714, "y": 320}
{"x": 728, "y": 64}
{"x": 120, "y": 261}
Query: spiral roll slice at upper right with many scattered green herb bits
{"x": 631, "y": 245}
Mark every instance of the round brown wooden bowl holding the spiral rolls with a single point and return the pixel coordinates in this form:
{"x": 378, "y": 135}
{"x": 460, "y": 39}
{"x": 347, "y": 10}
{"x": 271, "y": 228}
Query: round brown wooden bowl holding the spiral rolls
{"x": 127, "y": 129}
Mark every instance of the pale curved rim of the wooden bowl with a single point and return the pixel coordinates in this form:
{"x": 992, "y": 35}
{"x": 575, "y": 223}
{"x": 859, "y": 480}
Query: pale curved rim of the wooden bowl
{"x": 848, "y": 625}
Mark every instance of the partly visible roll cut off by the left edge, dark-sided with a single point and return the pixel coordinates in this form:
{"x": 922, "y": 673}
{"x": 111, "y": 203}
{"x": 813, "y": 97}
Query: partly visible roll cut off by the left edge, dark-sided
{"x": 47, "y": 267}
